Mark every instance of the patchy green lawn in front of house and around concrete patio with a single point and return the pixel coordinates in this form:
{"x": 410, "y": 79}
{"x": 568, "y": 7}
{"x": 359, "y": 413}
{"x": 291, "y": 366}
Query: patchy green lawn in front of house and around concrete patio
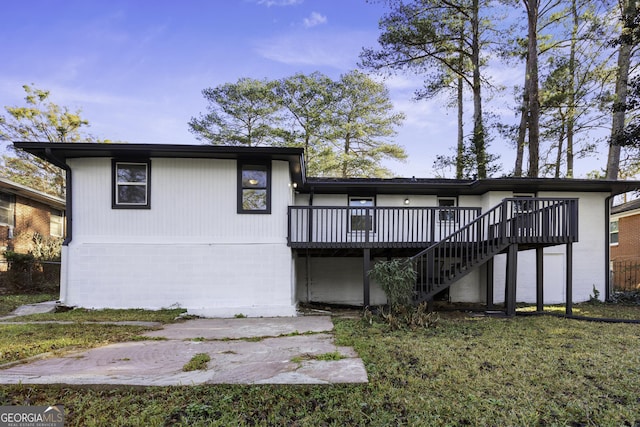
{"x": 525, "y": 371}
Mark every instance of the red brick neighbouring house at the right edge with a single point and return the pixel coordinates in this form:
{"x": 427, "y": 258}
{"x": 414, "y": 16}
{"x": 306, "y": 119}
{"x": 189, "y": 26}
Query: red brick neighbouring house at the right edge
{"x": 624, "y": 240}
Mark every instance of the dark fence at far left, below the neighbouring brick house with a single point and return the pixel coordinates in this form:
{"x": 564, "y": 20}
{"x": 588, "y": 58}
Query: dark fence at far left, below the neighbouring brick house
{"x": 37, "y": 275}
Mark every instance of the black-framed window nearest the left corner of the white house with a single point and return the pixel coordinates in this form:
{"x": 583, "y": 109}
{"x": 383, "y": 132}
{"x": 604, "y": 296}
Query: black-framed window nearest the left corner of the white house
{"x": 131, "y": 185}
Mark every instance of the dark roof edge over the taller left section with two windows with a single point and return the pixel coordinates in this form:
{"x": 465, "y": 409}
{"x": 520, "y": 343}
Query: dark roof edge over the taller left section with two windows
{"x": 63, "y": 151}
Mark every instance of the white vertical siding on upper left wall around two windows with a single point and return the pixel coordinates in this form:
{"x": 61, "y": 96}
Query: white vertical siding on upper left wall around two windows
{"x": 192, "y": 200}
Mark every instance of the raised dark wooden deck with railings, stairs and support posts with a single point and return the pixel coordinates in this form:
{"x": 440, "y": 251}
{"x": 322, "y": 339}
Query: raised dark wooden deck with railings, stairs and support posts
{"x": 445, "y": 243}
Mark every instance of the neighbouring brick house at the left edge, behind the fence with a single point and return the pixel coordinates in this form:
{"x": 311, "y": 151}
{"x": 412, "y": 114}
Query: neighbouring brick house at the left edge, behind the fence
{"x": 23, "y": 212}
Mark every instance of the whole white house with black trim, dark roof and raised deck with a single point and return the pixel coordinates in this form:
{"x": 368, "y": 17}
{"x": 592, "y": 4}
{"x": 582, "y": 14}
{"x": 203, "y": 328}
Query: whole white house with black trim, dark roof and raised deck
{"x": 241, "y": 230}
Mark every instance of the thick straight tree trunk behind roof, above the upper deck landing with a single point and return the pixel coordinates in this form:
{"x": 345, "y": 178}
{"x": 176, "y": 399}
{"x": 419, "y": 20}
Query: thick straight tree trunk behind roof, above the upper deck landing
{"x": 534, "y": 100}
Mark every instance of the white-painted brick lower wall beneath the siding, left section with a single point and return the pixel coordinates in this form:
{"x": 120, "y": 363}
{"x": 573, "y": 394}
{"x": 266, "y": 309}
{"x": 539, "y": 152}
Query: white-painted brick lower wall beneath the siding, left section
{"x": 214, "y": 280}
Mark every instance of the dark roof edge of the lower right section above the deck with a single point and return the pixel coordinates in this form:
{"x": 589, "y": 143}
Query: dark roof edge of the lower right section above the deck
{"x": 453, "y": 187}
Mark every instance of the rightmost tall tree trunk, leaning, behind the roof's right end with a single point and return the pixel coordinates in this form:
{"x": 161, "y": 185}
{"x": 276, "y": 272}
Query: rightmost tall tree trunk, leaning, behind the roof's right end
{"x": 628, "y": 8}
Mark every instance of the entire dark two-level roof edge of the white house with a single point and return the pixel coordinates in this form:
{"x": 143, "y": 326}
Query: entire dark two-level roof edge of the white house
{"x": 58, "y": 153}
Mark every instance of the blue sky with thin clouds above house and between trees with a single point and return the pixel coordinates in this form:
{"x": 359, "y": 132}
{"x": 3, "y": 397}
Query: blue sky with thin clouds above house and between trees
{"x": 136, "y": 68}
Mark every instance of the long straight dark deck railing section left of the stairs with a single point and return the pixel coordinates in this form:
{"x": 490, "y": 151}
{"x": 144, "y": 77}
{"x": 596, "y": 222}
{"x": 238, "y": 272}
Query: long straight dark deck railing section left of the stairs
{"x": 374, "y": 227}
